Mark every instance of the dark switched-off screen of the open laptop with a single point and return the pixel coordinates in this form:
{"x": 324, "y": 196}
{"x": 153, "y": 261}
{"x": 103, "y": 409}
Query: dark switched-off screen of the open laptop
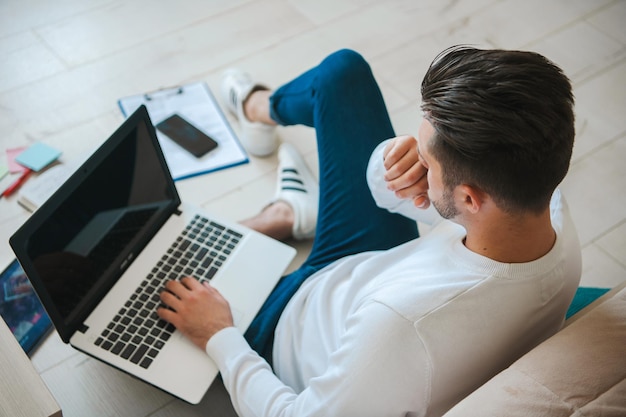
{"x": 83, "y": 238}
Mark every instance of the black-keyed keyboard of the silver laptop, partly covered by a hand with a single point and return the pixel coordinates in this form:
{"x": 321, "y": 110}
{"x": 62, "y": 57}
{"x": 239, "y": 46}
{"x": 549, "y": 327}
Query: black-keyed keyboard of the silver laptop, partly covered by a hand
{"x": 137, "y": 333}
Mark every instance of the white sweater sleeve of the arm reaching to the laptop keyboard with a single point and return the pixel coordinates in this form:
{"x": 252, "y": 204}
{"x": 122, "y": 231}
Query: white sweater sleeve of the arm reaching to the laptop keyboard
{"x": 380, "y": 369}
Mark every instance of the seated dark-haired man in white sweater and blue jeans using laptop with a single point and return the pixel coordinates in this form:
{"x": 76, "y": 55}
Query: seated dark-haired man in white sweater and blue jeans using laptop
{"x": 379, "y": 322}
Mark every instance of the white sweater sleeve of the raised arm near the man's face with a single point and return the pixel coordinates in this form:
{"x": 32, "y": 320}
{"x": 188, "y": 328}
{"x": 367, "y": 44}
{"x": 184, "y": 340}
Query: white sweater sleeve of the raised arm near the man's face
{"x": 387, "y": 199}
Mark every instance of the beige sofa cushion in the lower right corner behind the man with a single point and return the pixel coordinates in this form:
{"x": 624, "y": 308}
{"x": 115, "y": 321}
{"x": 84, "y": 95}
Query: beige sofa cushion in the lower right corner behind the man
{"x": 580, "y": 371}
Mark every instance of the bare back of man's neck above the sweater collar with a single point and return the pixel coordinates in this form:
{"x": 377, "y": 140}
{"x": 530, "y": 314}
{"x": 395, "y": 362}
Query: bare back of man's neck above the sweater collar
{"x": 511, "y": 239}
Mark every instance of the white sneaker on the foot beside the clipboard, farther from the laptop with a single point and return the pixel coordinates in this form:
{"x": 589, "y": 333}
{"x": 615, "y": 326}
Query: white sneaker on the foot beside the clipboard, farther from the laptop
{"x": 259, "y": 139}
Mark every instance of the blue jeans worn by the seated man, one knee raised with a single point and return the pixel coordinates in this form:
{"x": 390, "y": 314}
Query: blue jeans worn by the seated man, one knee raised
{"x": 341, "y": 100}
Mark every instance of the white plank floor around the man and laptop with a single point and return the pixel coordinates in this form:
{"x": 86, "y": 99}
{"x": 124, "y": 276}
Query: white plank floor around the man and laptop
{"x": 65, "y": 64}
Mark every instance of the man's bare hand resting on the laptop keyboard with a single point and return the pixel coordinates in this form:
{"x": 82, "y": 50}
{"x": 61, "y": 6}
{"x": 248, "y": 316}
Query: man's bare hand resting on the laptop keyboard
{"x": 198, "y": 310}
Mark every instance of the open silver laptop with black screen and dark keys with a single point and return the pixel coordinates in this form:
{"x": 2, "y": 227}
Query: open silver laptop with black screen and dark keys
{"x": 100, "y": 249}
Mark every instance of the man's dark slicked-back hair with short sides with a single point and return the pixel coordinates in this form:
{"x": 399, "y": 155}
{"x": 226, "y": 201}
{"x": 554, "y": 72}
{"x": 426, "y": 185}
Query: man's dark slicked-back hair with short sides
{"x": 504, "y": 122}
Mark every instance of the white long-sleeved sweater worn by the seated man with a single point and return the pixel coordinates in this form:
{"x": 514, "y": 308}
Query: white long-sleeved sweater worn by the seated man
{"x": 404, "y": 332}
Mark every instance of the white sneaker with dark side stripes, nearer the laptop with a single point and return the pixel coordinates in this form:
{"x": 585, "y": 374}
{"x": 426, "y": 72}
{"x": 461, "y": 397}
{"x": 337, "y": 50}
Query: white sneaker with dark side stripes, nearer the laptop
{"x": 297, "y": 186}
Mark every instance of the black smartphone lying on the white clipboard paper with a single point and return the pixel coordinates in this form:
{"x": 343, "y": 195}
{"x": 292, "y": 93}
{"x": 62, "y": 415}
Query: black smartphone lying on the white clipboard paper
{"x": 187, "y": 135}
